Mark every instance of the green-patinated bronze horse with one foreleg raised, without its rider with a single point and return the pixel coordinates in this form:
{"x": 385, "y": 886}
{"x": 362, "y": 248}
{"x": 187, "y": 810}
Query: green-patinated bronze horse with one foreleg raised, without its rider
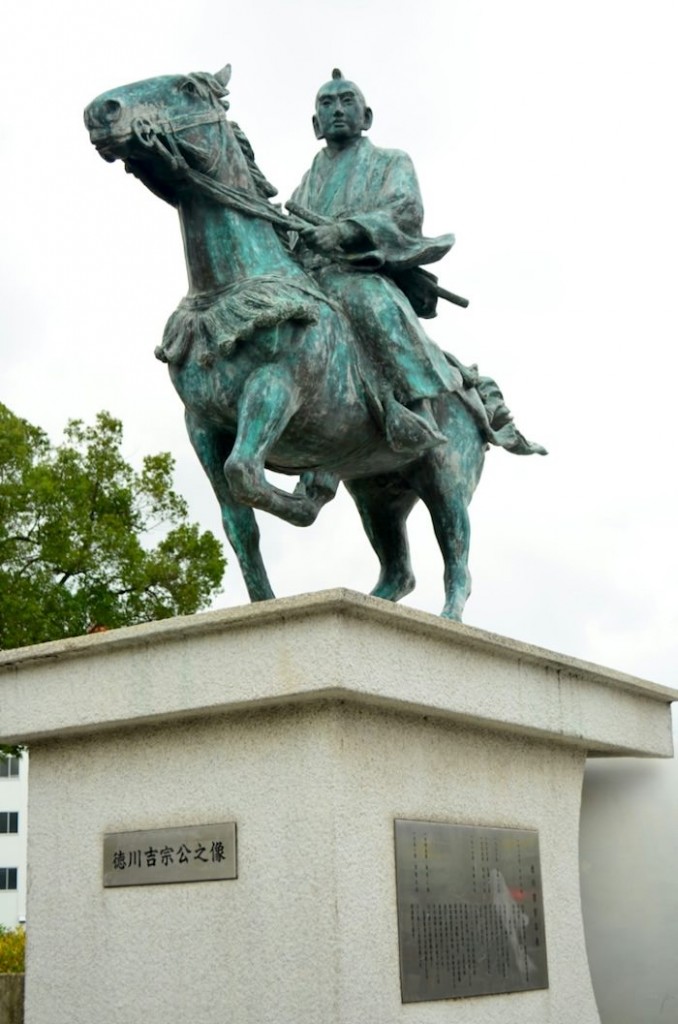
{"x": 266, "y": 364}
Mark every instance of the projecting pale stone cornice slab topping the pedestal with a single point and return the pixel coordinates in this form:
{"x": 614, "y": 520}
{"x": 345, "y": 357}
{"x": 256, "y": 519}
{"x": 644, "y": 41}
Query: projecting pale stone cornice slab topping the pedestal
{"x": 334, "y": 646}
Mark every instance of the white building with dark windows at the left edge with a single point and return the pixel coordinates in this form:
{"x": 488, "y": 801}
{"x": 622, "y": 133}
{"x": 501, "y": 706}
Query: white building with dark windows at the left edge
{"x": 14, "y": 817}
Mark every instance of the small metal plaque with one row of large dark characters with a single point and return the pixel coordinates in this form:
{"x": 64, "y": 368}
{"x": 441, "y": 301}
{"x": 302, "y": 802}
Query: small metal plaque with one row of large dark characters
{"x": 193, "y": 854}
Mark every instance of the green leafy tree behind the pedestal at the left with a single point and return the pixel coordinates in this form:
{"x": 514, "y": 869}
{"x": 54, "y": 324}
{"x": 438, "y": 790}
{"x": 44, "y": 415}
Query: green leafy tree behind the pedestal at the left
{"x": 76, "y": 529}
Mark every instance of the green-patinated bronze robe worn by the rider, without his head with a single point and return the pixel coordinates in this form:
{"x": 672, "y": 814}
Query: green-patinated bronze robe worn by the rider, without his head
{"x": 377, "y": 190}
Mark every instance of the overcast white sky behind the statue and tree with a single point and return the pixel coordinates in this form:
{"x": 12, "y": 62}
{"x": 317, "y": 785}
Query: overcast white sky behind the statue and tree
{"x": 543, "y": 135}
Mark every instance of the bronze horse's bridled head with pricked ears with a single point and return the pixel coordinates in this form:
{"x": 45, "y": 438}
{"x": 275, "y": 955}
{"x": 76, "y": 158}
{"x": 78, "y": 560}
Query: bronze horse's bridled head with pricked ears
{"x": 167, "y": 129}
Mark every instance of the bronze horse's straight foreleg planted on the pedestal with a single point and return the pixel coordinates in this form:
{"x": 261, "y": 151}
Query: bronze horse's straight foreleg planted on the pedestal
{"x": 239, "y": 523}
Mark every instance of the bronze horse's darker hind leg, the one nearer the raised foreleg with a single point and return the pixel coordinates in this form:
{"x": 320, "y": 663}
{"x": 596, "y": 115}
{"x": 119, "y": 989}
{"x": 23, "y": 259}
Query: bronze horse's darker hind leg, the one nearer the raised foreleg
{"x": 385, "y": 504}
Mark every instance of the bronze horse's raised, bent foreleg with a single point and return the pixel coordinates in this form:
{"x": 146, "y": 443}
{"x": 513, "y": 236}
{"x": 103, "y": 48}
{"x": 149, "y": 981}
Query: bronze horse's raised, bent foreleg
{"x": 269, "y": 402}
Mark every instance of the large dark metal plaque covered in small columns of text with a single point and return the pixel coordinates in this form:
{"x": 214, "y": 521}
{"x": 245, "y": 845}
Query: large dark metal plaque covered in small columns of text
{"x": 471, "y": 911}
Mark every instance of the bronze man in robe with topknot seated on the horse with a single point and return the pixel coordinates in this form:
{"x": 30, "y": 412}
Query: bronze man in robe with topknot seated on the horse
{"x": 367, "y": 211}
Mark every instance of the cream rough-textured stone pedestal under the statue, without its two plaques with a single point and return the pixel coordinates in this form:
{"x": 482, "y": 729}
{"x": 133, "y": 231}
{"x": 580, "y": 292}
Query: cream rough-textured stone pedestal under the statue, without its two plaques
{"x": 313, "y": 723}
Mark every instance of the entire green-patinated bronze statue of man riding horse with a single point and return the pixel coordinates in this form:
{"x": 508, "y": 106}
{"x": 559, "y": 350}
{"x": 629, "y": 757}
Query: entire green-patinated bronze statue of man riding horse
{"x": 300, "y": 348}
